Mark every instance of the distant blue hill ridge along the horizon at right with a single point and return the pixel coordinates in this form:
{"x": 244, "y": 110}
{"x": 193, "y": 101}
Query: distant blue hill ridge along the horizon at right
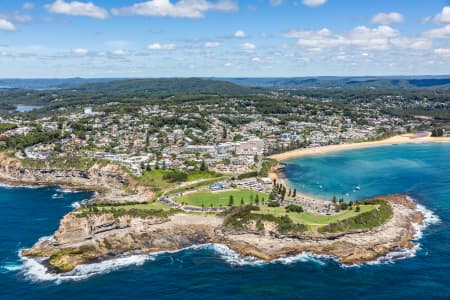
{"x": 413, "y": 82}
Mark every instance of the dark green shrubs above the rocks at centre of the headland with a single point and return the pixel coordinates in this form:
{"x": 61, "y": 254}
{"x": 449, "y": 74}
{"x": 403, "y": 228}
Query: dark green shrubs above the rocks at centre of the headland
{"x": 239, "y": 218}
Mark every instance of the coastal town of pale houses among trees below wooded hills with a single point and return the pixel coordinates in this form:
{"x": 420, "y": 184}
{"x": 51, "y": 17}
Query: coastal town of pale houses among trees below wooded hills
{"x": 229, "y": 138}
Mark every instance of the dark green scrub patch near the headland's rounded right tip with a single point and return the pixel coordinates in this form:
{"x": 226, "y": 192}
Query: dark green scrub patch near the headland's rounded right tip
{"x": 363, "y": 219}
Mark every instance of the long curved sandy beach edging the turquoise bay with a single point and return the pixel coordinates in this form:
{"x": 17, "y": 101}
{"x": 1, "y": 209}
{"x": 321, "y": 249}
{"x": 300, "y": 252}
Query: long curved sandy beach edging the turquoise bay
{"x": 399, "y": 139}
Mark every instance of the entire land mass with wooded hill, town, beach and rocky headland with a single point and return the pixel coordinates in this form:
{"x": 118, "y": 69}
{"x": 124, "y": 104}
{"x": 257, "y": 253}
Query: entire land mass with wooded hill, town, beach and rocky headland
{"x": 189, "y": 161}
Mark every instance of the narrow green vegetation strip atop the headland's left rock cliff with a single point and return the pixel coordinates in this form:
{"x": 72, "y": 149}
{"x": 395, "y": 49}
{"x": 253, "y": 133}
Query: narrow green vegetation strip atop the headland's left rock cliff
{"x": 143, "y": 210}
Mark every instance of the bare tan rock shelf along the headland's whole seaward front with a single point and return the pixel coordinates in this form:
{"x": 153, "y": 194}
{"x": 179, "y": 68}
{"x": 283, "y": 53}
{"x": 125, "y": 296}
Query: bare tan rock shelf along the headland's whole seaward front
{"x": 82, "y": 240}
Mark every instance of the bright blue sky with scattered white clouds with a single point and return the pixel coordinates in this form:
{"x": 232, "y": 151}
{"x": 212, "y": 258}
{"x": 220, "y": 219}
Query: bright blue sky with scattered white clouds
{"x": 223, "y": 38}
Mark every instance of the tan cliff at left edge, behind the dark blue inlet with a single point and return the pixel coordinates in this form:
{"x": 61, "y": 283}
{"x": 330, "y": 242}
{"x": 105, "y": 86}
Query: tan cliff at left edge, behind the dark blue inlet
{"x": 110, "y": 180}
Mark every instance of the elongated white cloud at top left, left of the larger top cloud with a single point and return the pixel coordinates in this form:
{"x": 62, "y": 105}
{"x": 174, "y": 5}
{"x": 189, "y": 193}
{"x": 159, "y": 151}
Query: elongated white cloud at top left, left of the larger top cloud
{"x": 76, "y": 8}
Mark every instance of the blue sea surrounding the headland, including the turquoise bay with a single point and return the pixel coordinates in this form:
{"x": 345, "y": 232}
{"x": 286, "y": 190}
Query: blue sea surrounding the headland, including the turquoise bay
{"x": 421, "y": 170}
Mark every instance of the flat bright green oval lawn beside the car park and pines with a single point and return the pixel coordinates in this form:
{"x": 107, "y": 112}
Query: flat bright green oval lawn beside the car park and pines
{"x": 217, "y": 199}
